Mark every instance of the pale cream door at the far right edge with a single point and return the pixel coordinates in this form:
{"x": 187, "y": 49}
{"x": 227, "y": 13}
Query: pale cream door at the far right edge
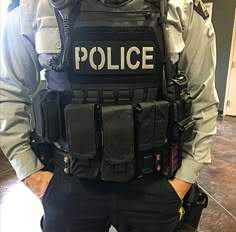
{"x": 231, "y": 98}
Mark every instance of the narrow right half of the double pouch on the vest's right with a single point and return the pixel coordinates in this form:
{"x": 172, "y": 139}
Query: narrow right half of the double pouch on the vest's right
{"x": 161, "y": 123}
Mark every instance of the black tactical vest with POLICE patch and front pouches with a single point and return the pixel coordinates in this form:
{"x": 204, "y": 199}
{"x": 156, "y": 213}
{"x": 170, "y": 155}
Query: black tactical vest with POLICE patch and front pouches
{"x": 121, "y": 115}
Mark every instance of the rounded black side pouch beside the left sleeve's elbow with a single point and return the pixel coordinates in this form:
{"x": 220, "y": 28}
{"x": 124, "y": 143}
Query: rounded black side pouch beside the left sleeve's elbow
{"x": 46, "y": 106}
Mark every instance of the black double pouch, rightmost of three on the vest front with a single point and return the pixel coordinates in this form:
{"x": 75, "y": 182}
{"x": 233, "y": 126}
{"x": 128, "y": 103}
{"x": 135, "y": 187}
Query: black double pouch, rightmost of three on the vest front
{"x": 151, "y": 119}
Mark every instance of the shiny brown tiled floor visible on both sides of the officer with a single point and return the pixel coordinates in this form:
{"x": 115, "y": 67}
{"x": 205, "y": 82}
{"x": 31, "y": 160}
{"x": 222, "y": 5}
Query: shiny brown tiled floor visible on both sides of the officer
{"x": 20, "y": 211}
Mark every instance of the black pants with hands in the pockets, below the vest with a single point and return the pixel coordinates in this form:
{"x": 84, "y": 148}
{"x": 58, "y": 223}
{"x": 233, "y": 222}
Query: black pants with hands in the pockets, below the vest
{"x": 149, "y": 204}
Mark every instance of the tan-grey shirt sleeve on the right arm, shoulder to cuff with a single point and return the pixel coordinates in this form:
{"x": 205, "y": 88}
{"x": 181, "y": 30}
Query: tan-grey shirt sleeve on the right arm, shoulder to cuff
{"x": 192, "y": 45}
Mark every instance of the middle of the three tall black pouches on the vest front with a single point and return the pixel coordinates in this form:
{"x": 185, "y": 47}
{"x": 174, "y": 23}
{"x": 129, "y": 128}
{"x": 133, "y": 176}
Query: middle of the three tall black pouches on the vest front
{"x": 118, "y": 143}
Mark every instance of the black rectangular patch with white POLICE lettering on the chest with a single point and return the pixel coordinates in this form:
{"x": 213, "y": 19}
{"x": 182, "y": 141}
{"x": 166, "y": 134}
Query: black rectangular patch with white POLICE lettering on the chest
{"x": 114, "y": 57}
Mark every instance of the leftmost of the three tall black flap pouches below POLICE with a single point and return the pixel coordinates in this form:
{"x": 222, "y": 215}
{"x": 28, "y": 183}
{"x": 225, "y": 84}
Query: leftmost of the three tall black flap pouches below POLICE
{"x": 80, "y": 131}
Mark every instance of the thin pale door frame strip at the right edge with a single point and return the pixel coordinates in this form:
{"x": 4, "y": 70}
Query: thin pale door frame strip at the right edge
{"x": 233, "y": 47}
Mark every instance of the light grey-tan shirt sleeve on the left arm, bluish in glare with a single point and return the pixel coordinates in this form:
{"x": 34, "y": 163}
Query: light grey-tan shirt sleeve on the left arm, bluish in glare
{"x": 19, "y": 79}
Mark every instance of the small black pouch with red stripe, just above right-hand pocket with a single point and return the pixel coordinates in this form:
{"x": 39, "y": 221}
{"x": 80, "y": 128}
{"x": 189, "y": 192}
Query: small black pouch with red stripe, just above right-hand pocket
{"x": 170, "y": 160}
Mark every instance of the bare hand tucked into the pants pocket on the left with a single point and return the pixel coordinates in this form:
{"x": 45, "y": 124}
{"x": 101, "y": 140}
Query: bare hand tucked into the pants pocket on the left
{"x": 38, "y": 182}
